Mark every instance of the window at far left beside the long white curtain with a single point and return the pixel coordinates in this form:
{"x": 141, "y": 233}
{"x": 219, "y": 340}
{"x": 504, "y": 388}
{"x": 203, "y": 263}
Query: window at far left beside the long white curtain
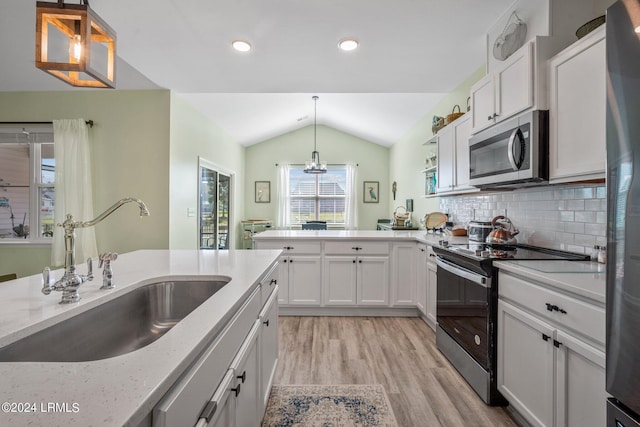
{"x": 27, "y": 172}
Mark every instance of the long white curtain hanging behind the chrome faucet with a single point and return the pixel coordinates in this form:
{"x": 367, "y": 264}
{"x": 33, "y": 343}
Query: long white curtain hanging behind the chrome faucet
{"x": 73, "y": 193}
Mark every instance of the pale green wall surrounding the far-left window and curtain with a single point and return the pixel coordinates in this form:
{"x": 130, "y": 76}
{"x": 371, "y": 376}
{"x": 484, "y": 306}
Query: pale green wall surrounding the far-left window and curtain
{"x": 130, "y": 157}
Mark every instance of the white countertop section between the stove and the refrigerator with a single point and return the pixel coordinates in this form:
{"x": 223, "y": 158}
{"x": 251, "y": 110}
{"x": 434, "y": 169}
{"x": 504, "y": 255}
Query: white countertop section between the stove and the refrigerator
{"x": 584, "y": 278}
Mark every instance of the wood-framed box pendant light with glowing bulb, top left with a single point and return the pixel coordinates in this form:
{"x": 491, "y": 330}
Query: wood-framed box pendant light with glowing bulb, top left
{"x": 75, "y": 45}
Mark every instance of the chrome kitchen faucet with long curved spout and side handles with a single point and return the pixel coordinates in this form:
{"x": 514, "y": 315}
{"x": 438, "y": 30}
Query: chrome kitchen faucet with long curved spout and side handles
{"x": 69, "y": 283}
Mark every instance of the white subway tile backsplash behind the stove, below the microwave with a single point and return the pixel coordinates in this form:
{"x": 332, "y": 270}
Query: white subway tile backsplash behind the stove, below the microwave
{"x": 568, "y": 217}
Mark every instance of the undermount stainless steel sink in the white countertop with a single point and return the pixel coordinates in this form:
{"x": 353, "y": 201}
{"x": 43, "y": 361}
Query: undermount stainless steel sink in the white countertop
{"x": 119, "y": 326}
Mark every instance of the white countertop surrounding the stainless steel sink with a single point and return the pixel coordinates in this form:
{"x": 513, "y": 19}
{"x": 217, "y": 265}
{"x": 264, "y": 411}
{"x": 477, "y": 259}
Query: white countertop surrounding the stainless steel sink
{"x": 121, "y": 390}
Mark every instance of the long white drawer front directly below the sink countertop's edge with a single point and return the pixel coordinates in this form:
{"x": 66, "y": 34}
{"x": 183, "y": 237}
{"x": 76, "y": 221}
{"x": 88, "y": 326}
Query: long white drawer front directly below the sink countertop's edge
{"x": 182, "y": 405}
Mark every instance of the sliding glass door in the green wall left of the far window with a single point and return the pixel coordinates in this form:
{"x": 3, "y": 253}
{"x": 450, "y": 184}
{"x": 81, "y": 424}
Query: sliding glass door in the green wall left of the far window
{"x": 214, "y": 207}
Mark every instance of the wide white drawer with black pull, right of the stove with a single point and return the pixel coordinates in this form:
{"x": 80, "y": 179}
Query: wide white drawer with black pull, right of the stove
{"x": 582, "y": 317}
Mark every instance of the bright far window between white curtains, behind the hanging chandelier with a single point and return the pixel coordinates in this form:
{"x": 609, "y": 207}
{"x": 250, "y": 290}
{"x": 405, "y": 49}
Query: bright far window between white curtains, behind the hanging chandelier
{"x": 321, "y": 197}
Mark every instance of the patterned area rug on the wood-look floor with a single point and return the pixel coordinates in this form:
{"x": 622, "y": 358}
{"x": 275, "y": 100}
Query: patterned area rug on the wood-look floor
{"x": 328, "y": 406}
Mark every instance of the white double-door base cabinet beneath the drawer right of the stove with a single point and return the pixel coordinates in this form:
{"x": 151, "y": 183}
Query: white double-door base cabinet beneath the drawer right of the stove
{"x": 551, "y": 377}
